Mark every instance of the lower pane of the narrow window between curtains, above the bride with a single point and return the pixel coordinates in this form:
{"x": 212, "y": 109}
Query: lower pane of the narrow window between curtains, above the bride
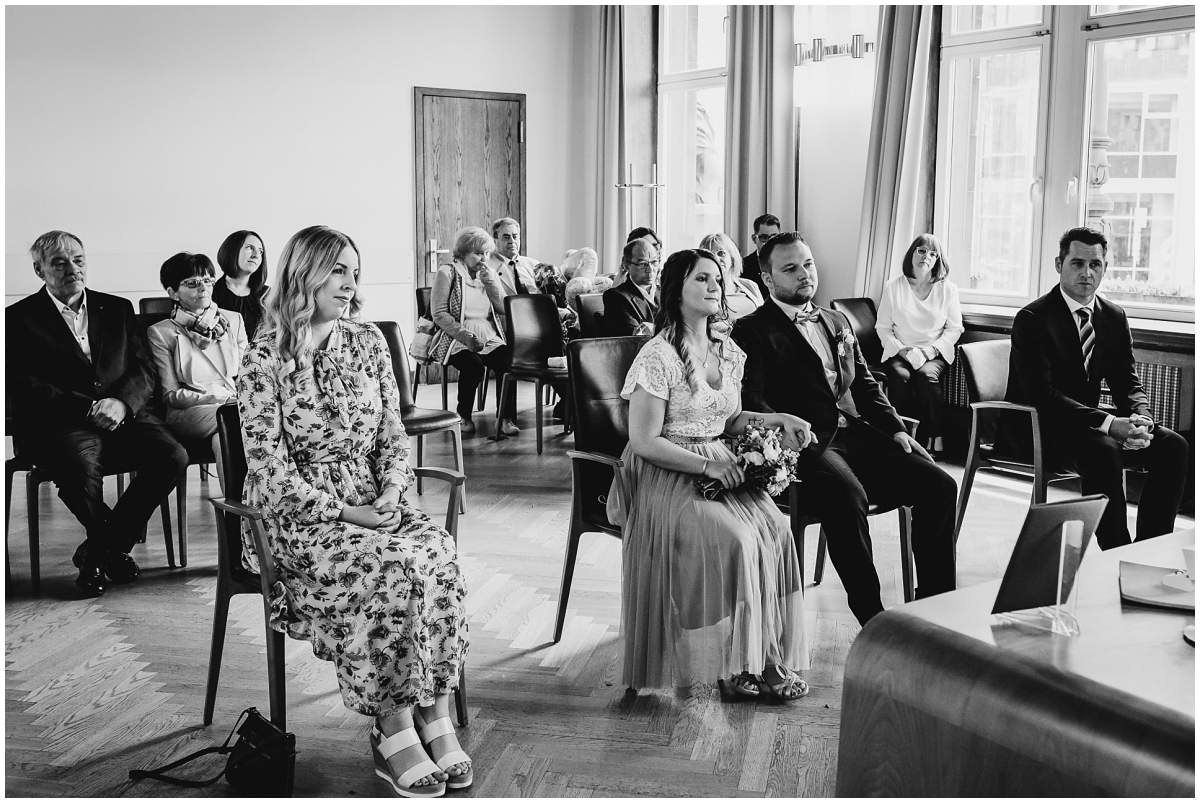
{"x": 694, "y": 134}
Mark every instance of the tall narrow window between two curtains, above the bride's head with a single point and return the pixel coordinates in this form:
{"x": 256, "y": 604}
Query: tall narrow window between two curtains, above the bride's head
{"x": 692, "y": 123}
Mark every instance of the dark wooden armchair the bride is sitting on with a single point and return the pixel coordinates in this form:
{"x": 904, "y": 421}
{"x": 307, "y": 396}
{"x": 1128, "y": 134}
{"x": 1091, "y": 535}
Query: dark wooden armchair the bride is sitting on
{"x": 598, "y": 369}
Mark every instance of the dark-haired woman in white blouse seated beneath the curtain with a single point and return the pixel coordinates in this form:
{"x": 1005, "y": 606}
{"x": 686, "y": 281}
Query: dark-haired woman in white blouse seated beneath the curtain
{"x": 920, "y": 323}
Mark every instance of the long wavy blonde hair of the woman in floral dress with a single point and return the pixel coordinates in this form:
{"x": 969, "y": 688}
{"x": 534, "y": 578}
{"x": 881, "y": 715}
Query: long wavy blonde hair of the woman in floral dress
{"x": 308, "y": 261}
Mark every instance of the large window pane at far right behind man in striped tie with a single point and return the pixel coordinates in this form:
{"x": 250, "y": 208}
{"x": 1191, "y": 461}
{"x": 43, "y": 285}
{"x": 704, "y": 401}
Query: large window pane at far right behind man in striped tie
{"x": 1143, "y": 130}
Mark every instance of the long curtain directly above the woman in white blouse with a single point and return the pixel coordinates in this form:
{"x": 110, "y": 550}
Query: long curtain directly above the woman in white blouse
{"x": 898, "y": 202}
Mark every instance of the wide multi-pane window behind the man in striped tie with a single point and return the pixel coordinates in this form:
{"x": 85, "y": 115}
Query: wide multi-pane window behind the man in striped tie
{"x": 1115, "y": 149}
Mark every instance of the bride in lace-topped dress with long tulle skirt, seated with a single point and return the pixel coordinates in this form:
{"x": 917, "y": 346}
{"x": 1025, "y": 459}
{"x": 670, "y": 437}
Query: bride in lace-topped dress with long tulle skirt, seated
{"x": 711, "y": 589}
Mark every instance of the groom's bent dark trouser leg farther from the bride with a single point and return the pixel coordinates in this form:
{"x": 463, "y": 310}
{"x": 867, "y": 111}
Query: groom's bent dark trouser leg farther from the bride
{"x": 891, "y": 476}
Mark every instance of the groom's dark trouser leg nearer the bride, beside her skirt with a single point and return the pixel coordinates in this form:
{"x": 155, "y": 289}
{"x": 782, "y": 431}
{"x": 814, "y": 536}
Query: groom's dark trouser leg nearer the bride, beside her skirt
{"x": 831, "y": 492}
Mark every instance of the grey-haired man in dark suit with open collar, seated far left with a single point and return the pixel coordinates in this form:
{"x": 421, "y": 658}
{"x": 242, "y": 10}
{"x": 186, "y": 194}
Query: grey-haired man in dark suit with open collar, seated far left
{"x": 81, "y": 377}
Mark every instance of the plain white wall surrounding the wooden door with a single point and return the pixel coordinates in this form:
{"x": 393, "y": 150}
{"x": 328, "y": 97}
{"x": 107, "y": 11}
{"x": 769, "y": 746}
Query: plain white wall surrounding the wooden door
{"x": 154, "y": 130}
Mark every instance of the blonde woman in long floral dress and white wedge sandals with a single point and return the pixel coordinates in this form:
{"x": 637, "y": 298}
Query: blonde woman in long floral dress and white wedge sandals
{"x": 371, "y": 583}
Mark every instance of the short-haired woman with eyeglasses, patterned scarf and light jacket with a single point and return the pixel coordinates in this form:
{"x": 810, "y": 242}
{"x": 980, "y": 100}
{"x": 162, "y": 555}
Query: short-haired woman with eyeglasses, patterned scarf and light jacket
{"x": 197, "y": 351}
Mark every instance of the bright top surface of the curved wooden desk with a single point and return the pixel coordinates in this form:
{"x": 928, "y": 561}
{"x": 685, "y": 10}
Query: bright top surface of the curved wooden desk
{"x": 1137, "y": 649}
